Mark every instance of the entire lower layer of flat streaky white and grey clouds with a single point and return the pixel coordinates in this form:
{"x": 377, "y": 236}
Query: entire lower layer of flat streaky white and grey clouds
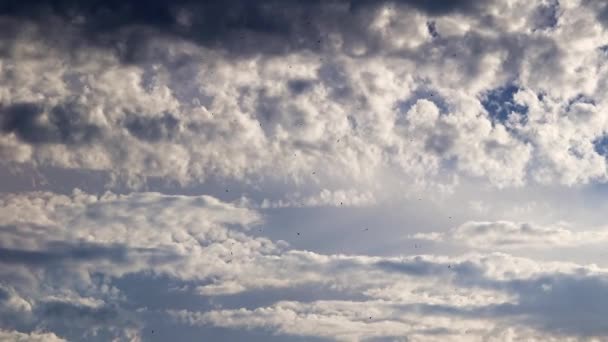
{"x": 205, "y": 244}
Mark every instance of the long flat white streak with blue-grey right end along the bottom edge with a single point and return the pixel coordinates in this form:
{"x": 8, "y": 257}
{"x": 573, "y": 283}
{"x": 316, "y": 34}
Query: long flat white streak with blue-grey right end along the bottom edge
{"x": 536, "y": 302}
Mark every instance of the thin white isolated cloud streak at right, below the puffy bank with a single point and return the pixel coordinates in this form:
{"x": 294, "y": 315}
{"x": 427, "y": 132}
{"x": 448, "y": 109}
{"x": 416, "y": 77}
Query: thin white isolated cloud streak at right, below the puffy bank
{"x": 508, "y": 235}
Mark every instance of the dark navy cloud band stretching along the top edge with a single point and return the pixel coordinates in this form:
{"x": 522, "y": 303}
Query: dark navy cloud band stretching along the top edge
{"x": 238, "y": 26}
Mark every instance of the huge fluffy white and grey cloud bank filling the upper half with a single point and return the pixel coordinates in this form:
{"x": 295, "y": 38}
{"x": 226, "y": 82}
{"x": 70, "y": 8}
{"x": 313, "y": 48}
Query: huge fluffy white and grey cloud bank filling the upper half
{"x": 349, "y": 100}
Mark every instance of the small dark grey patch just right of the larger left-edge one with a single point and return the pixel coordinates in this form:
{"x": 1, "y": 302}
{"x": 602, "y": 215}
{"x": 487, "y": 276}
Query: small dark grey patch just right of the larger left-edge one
{"x": 153, "y": 129}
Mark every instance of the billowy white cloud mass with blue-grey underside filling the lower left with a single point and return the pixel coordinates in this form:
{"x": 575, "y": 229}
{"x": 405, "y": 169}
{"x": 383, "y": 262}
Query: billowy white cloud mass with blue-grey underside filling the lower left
{"x": 52, "y": 279}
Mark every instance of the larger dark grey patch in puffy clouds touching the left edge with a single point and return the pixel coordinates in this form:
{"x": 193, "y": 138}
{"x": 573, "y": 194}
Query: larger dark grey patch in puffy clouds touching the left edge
{"x": 65, "y": 124}
